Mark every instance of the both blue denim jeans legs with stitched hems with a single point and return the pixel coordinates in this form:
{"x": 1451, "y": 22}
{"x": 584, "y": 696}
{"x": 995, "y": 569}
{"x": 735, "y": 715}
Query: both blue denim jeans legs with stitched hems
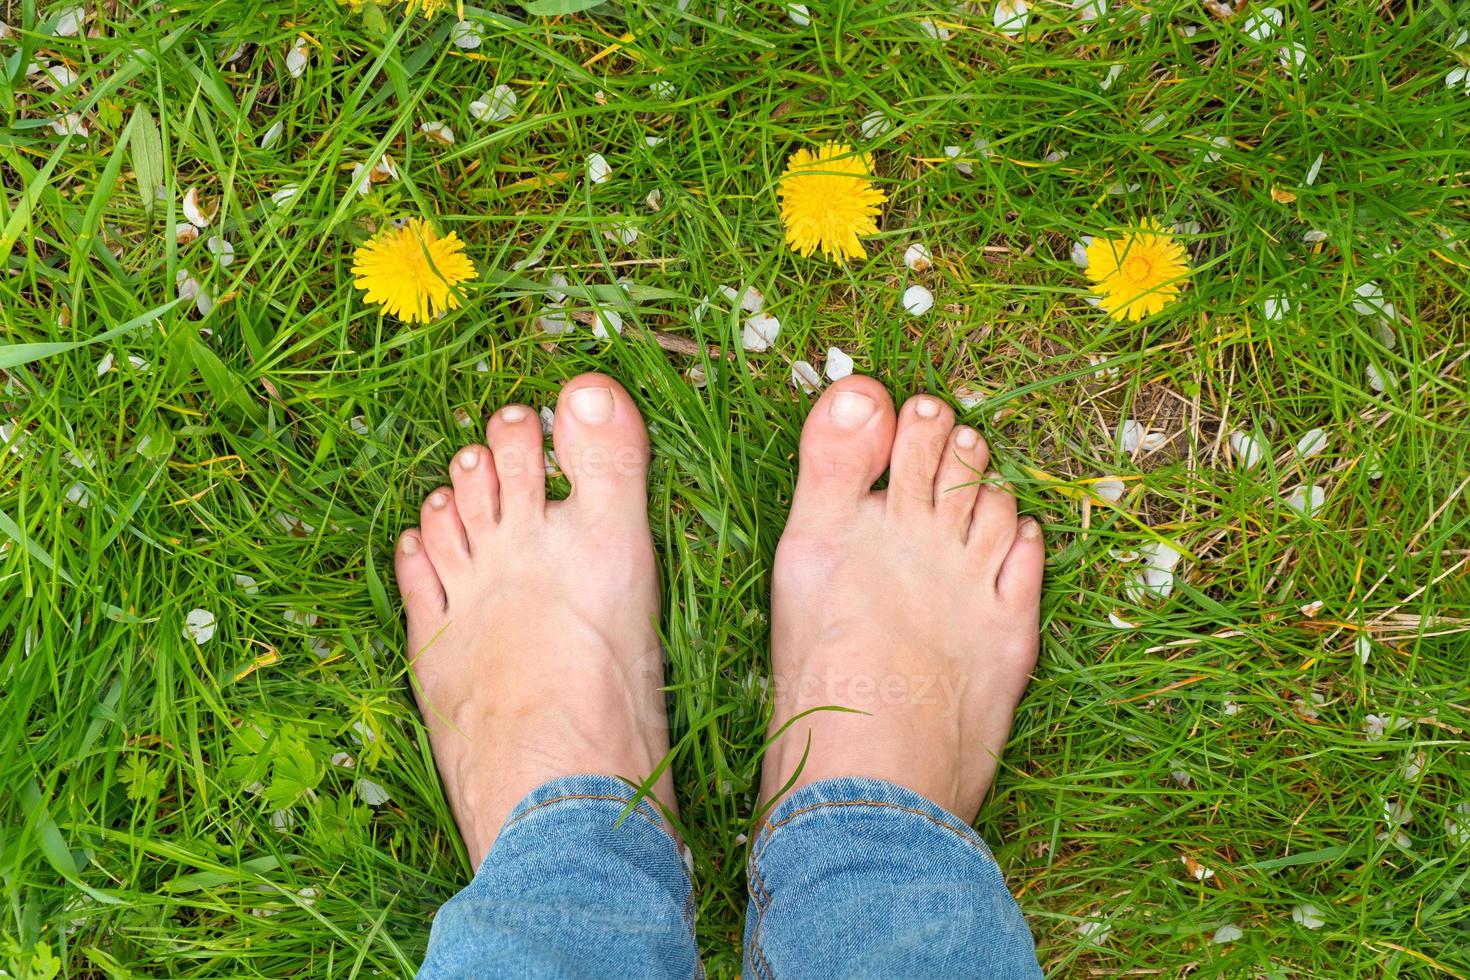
{"x": 852, "y": 878}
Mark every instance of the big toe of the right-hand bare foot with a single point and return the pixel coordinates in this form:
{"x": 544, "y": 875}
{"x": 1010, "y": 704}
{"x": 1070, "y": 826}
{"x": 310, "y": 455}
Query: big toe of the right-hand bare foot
{"x": 846, "y": 443}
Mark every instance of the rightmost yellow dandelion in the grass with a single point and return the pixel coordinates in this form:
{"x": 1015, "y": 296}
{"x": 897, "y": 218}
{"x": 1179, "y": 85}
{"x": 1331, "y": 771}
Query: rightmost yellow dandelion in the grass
{"x": 1140, "y": 273}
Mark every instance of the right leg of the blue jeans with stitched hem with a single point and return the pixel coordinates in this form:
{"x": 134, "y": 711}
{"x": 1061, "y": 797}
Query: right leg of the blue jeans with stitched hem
{"x": 859, "y": 878}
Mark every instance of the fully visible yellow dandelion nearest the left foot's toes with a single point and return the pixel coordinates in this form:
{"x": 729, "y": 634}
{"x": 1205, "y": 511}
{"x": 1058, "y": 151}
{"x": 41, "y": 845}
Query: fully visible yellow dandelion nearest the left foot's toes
{"x": 412, "y": 273}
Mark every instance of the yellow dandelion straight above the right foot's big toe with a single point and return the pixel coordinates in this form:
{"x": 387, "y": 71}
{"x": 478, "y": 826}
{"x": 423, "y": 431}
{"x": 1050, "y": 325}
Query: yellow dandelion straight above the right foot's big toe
{"x": 828, "y": 201}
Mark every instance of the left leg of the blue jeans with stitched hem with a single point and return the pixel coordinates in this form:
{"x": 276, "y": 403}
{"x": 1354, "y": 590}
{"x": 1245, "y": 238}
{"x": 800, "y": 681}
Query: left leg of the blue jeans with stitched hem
{"x": 568, "y": 893}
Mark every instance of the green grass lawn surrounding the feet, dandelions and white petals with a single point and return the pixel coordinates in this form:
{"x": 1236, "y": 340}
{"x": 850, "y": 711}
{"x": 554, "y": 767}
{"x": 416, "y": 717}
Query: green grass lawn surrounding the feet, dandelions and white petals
{"x": 130, "y": 843}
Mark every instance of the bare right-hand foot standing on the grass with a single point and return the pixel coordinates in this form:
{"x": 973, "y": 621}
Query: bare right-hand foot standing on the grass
{"x": 918, "y": 605}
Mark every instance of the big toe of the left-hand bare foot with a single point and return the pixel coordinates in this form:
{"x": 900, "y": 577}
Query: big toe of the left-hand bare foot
{"x": 602, "y": 444}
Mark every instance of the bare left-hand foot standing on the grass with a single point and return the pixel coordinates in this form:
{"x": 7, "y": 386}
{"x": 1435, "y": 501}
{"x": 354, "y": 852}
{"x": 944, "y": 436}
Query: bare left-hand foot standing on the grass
{"x": 531, "y": 622}
